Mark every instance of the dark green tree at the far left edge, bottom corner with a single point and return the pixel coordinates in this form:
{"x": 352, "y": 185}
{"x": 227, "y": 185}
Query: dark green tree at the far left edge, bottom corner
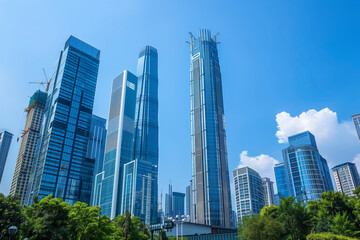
{"x": 10, "y": 213}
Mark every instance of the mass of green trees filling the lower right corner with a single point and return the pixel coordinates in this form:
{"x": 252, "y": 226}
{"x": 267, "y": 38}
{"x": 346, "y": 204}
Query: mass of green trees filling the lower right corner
{"x": 334, "y": 216}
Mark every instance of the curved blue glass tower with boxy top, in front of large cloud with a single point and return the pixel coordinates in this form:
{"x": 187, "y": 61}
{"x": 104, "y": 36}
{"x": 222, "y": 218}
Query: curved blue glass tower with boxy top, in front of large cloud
{"x": 306, "y": 171}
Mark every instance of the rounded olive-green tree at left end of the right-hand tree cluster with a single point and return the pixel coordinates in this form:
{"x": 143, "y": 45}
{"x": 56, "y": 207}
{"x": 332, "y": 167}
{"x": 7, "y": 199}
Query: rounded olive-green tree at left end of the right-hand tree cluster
{"x": 261, "y": 228}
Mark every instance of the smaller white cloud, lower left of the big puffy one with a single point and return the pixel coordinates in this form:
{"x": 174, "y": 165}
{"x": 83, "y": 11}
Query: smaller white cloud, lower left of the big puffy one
{"x": 263, "y": 164}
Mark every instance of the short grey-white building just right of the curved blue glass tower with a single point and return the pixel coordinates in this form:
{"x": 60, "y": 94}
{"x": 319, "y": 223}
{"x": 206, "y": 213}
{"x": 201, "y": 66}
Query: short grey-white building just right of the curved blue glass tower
{"x": 346, "y": 178}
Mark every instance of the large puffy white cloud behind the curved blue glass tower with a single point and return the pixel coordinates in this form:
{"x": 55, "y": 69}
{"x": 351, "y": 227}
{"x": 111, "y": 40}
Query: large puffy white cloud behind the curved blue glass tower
{"x": 337, "y": 141}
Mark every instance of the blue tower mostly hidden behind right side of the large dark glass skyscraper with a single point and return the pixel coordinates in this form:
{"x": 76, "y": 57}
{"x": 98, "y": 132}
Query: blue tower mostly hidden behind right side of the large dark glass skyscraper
{"x": 96, "y": 150}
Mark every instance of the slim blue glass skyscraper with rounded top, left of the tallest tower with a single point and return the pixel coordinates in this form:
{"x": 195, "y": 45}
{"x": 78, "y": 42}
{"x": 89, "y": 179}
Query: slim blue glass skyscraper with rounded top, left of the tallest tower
{"x": 146, "y": 149}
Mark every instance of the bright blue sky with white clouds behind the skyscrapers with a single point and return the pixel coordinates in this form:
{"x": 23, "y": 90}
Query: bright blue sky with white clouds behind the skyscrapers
{"x": 275, "y": 56}
